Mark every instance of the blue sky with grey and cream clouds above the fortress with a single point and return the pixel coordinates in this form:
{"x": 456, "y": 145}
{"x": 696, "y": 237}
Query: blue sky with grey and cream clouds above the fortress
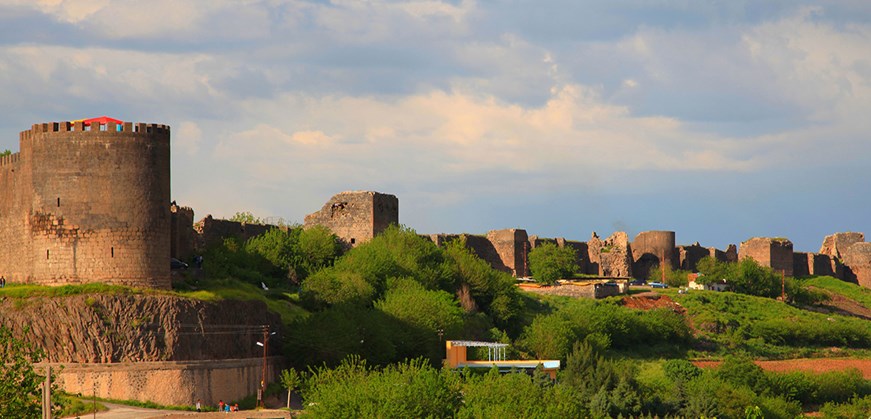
{"x": 719, "y": 120}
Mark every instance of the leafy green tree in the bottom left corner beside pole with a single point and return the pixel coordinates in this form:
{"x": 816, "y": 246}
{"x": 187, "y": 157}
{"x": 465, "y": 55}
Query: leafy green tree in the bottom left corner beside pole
{"x": 20, "y": 384}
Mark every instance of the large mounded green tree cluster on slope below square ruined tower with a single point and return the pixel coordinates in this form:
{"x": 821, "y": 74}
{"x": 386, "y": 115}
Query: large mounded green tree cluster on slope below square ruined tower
{"x": 399, "y": 296}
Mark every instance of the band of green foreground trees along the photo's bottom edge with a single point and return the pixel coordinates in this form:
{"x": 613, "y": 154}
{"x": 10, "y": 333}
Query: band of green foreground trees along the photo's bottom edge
{"x": 590, "y": 385}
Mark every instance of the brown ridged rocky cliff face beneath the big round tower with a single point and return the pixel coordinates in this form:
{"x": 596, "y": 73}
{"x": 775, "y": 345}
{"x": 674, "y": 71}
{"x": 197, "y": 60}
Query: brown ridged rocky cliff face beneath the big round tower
{"x": 119, "y": 328}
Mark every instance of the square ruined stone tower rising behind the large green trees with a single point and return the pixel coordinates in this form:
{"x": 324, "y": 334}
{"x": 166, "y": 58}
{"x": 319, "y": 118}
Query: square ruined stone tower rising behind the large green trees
{"x": 356, "y": 216}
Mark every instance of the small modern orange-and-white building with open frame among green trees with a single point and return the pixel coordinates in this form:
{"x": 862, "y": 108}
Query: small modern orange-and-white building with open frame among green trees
{"x": 457, "y": 357}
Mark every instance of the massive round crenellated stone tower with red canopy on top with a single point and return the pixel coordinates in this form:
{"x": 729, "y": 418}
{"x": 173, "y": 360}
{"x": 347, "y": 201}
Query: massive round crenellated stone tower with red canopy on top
{"x": 95, "y": 205}
